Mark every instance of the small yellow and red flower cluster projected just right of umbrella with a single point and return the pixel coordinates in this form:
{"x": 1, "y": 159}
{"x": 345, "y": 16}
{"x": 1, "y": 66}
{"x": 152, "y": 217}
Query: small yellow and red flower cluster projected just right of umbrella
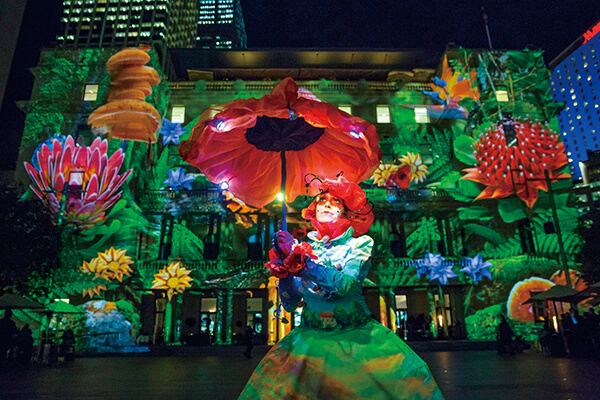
{"x": 410, "y": 169}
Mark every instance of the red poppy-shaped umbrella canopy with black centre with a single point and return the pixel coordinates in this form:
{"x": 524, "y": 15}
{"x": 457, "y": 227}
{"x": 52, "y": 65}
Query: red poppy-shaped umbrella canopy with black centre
{"x": 245, "y": 143}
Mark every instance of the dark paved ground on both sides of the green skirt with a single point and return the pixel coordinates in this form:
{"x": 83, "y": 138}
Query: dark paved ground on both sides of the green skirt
{"x": 220, "y": 374}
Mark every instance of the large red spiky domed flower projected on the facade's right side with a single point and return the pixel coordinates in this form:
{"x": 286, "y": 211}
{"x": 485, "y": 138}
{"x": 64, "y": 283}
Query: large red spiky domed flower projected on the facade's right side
{"x": 517, "y": 168}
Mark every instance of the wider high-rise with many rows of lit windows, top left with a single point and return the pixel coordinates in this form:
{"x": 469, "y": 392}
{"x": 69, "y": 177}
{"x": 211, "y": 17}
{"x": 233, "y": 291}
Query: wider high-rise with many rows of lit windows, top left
{"x": 118, "y": 23}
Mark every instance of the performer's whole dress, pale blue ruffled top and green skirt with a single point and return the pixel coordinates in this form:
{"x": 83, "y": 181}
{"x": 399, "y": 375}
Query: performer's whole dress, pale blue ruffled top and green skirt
{"x": 339, "y": 351}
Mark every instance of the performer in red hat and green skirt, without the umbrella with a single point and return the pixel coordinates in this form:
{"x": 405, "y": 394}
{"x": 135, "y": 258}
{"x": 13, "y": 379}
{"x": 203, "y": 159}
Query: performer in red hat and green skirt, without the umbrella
{"x": 338, "y": 351}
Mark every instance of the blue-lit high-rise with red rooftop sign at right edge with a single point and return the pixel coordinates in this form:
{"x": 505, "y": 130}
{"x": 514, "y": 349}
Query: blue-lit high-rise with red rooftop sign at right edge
{"x": 576, "y": 82}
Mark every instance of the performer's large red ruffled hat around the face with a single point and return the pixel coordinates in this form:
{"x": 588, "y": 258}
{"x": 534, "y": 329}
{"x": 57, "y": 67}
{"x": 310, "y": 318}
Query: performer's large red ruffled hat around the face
{"x": 358, "y": 211}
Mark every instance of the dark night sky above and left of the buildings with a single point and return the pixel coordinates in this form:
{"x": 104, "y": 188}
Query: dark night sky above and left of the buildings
{"x": 385, "y": 24}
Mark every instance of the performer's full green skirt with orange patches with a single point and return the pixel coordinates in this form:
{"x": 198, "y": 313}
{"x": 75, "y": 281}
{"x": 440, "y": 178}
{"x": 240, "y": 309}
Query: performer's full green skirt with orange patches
{"x": 366, "y": 362}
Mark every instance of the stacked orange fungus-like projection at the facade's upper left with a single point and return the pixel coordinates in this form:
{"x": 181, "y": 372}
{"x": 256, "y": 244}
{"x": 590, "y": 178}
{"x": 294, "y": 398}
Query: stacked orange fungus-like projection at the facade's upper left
{"x": 127, "y": 115}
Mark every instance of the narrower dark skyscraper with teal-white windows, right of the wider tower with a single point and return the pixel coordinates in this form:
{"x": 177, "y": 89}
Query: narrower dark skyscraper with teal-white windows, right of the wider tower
{"x": 220, "y": 25}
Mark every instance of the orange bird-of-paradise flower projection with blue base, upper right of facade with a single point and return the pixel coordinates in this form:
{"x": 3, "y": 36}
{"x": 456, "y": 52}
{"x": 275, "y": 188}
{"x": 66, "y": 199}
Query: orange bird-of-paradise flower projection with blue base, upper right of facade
{"x": 449, "y": 90}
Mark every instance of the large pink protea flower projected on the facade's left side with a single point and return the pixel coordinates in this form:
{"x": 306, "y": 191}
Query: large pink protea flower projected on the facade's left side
{"x": 92, "y": 177}
